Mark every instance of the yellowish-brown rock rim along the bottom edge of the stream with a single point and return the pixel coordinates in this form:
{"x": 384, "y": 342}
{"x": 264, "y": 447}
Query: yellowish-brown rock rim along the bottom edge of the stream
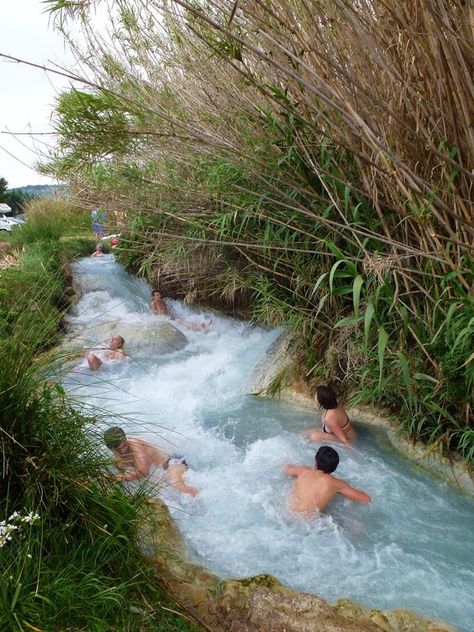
{"x": 261, "y": 602}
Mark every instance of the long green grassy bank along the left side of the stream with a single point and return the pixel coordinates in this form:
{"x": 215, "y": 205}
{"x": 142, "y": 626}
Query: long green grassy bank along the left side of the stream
{"x": 69, "y": 558}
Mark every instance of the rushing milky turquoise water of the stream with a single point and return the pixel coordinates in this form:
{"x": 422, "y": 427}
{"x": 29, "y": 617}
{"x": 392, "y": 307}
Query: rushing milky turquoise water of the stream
{"x": 412, "y": 548}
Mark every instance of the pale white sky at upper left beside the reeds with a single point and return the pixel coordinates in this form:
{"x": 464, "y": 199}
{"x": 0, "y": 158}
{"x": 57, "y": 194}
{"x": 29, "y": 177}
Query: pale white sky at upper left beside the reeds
{"x": 27, "y": 95}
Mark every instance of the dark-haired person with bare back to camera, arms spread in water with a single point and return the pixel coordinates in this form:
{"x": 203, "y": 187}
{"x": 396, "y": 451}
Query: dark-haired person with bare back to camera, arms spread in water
{"x": 314, "y": 488}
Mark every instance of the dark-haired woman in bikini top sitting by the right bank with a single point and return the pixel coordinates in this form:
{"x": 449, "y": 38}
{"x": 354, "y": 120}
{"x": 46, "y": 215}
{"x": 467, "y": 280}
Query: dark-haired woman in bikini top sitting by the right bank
{"x": 335, "y": 424}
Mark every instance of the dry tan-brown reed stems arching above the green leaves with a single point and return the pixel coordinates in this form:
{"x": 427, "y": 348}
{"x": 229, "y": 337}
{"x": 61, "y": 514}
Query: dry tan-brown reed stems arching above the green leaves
{"x": 328, "y": 57}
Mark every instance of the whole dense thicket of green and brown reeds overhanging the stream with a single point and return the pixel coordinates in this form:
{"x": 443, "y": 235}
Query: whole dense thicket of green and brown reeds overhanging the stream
{"x": 311, "y": 164}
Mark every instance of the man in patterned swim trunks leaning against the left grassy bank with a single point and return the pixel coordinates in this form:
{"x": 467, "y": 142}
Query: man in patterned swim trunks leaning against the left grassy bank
{"x": 135, "y": 458}
